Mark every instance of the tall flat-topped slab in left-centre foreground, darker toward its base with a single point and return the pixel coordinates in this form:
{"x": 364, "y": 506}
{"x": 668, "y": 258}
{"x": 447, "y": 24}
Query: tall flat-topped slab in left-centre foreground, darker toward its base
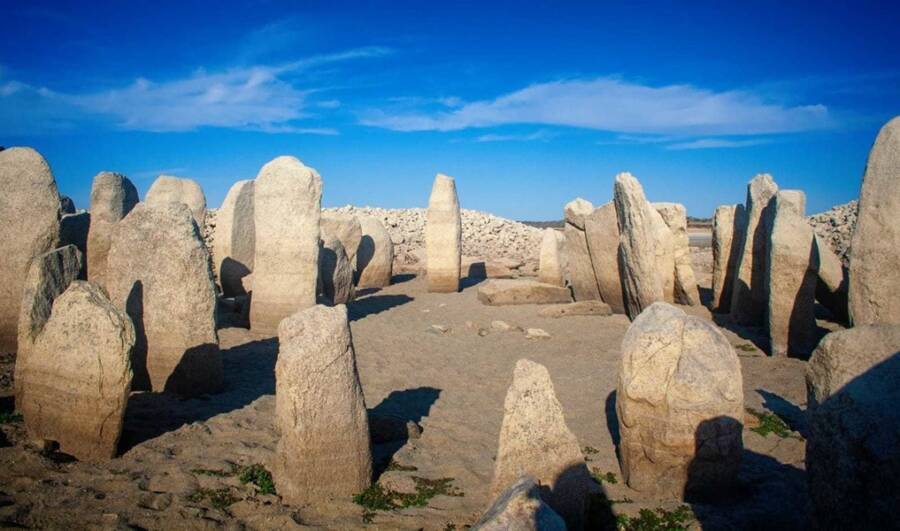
{"x": 320, "y": 411}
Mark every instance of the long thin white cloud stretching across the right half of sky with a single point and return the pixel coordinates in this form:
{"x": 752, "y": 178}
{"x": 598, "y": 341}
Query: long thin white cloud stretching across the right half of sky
{"x": 611, "y": 104}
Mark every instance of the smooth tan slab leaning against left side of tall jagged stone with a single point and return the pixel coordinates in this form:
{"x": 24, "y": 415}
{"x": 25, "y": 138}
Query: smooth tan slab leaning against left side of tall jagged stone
{"x": 602, "y": 230}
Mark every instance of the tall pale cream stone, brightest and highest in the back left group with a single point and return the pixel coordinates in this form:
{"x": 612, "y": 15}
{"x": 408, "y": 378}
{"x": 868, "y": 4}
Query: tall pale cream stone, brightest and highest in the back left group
{"x": 287, "y": 206}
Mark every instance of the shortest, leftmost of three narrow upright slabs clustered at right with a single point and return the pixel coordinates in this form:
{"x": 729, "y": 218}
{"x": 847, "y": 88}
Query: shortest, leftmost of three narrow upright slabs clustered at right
{"x": 729, "y": 223}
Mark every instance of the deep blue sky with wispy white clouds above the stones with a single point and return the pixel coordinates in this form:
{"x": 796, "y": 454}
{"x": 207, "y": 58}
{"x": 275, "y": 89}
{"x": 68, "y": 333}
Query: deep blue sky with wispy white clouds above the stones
{"x": 527, "y": 105}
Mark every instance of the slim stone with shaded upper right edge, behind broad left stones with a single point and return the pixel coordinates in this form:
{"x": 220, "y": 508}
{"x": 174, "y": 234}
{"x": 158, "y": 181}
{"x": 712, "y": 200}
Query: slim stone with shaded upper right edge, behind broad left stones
{"x": 112, "y": 198}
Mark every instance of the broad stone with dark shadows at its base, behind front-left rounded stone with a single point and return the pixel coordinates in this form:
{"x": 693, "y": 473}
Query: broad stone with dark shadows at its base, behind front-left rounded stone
{"x": 160, "y": 273}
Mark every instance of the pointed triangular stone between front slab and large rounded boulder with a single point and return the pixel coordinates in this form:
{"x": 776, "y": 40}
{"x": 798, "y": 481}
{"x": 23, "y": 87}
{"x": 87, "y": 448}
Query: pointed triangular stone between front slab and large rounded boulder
{"x": 535, "y": 441}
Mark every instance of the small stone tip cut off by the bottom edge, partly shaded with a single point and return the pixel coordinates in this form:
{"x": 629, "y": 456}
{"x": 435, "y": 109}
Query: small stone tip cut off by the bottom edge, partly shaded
{"x": 520, "y": 508}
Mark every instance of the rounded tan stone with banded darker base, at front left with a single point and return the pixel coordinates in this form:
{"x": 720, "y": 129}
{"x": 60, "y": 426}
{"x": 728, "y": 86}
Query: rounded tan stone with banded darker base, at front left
{"x": 79, "y": 375}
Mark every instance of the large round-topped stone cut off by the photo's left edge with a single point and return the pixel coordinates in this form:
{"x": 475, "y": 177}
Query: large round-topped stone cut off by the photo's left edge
{"x": 29, "y": 227}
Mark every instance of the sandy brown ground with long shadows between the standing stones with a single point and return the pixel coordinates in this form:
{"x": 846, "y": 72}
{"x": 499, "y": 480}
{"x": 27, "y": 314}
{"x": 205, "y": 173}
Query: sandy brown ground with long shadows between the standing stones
{"x": 452, "y": 384}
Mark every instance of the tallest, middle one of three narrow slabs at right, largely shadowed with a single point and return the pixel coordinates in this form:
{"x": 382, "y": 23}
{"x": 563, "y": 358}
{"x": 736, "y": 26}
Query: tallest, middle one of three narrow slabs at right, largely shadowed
{"x": 749, "y": 293}
